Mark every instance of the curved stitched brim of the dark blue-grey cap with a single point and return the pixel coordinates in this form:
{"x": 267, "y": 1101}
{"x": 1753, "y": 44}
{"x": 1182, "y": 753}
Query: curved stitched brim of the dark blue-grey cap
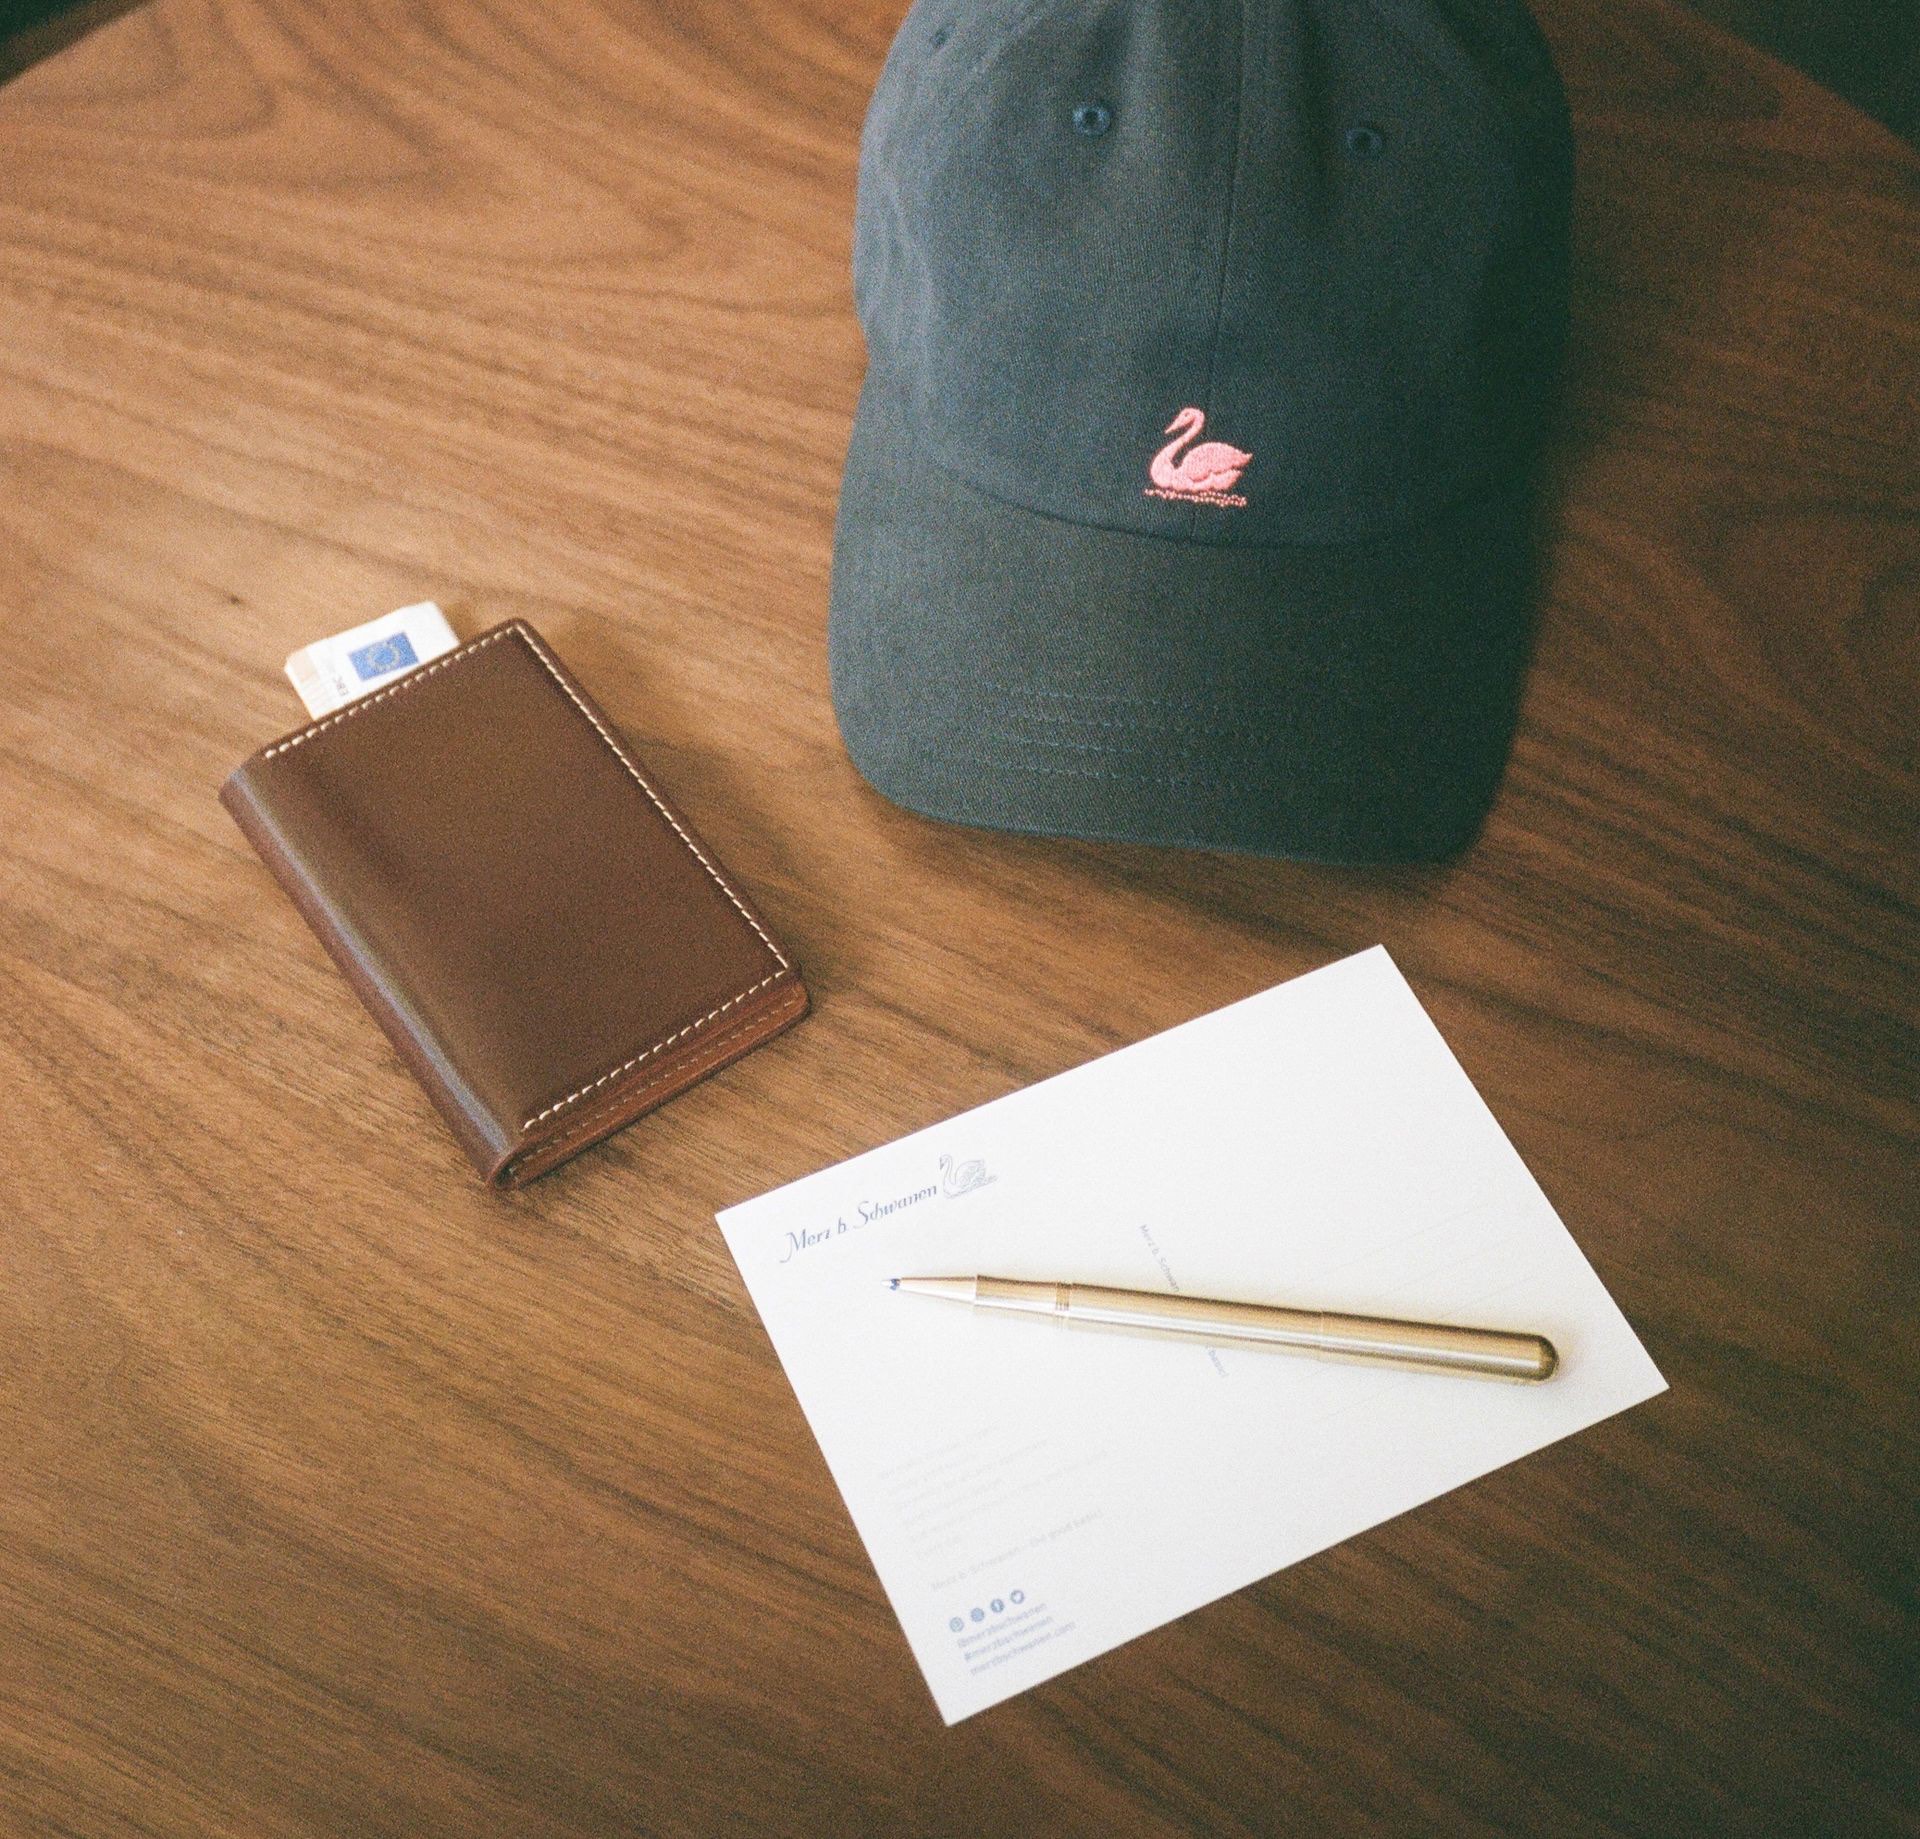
{"x": 1337, "y": 704}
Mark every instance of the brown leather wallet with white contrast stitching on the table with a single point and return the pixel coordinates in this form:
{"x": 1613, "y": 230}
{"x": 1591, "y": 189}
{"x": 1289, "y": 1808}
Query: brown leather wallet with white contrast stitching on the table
{"x": 535, "y": 926}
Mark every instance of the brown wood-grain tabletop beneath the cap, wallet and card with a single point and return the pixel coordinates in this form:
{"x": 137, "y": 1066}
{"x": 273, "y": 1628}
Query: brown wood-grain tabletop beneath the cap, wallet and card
{"x": 339, "y": 1496}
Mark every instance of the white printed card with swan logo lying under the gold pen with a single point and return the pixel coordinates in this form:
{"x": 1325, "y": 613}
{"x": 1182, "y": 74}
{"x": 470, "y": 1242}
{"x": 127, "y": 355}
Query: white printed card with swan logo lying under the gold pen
{"x": 1036, "y": 1496}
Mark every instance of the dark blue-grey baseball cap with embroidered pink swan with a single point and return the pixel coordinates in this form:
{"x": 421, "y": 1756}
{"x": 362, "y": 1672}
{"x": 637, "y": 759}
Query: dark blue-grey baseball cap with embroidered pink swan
{"x": 1209, "y": 352}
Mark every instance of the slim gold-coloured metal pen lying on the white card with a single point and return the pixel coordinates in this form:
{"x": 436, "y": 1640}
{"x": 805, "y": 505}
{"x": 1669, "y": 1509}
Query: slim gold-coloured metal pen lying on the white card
{"x": 1322, "y": 1333}
